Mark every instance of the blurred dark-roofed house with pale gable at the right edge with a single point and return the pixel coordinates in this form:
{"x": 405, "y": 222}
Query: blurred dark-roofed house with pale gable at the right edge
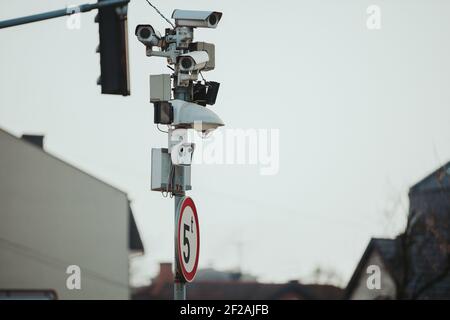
{"x": 416, "y": 264}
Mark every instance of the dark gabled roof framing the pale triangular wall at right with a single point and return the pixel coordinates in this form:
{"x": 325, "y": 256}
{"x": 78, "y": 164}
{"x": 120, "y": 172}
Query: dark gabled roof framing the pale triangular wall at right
{"x": 390, "y": 253}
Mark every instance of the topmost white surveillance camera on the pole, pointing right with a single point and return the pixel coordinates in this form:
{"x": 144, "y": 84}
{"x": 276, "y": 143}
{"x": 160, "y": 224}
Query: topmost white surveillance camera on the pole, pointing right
{"x": 194, "y": 19}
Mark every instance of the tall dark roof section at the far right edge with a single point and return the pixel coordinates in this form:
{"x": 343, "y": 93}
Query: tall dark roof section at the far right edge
{"x": 428, "y": 250}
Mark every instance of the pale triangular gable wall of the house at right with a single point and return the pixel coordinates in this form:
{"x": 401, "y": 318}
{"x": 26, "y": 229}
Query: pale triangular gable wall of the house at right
{"x": 387, "y": 287}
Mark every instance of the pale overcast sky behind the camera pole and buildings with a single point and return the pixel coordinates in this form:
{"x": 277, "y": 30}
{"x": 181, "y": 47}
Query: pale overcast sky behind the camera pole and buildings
{"x": 363, "y": 115}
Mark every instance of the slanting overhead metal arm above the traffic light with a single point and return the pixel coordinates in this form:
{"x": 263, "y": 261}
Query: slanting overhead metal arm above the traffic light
{"x": 60, "y": 13}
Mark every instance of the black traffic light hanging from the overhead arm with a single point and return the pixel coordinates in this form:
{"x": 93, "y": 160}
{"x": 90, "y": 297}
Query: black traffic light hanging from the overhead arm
{"x": 113, "y": 49}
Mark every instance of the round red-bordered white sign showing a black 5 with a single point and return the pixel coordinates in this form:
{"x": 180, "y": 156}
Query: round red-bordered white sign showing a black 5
{"x": 188, "y": 239}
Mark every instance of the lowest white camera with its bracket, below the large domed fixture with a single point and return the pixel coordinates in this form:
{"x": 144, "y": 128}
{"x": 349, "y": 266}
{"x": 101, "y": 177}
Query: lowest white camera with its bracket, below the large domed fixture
{"x": 181, "y": 151}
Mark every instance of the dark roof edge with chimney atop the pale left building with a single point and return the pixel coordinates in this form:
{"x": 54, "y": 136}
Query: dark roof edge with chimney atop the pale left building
{"x": 135, "y": 242}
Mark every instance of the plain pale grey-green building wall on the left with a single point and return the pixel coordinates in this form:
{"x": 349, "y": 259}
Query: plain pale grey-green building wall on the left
{"x": 52, "y": 216}
